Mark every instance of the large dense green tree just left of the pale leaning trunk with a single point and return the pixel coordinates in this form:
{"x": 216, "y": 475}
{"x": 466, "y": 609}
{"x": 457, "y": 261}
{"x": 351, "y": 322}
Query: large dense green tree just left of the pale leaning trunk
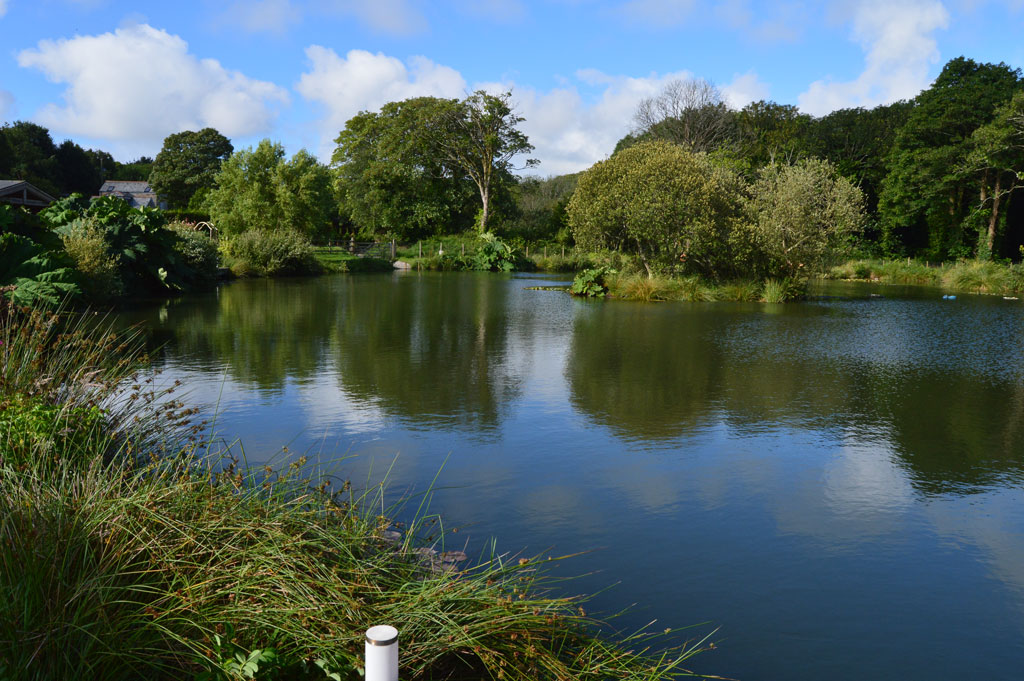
{"x": 391, "y": 177}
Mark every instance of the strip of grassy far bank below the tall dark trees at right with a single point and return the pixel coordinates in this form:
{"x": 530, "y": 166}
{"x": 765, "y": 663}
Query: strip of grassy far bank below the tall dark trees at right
{"x": 966, "y": 276}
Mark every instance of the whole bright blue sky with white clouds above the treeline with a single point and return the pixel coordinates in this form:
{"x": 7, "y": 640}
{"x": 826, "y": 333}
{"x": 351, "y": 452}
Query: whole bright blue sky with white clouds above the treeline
{"x": 121, "y": 76}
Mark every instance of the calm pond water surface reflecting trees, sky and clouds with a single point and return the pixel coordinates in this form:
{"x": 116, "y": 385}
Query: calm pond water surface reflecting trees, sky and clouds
{"x": 836, "y": 485}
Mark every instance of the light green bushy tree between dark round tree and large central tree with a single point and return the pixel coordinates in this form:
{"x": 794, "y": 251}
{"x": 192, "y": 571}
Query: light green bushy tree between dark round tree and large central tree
{"x": 259, "y": 190}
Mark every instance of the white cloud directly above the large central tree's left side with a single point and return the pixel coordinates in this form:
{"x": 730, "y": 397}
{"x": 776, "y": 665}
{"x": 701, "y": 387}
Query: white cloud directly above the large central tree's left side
{"x": 363, "y": 81}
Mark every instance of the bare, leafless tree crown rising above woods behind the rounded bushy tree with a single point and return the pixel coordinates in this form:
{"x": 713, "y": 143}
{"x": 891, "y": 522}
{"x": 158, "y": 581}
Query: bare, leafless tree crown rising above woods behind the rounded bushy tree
{"x": 691, "y": 113}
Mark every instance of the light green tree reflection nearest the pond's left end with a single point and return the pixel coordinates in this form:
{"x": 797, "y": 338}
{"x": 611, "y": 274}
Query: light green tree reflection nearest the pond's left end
{"x": 265, "y": 332}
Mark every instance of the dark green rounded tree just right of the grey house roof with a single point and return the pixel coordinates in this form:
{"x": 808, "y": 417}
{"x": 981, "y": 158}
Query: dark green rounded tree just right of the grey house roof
{"x": 188, "y": 163}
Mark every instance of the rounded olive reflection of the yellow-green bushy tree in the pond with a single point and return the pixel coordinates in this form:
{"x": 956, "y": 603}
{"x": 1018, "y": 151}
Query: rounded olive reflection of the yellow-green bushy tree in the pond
{"x": 648, "y": 374}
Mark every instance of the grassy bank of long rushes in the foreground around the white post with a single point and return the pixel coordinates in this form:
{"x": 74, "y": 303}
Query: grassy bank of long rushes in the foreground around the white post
{"x": 134, "y": 548}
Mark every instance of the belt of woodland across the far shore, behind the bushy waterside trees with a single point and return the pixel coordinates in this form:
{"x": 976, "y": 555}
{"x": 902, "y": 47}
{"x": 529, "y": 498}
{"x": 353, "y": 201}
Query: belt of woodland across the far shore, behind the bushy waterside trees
{"x": 942, "y": 176}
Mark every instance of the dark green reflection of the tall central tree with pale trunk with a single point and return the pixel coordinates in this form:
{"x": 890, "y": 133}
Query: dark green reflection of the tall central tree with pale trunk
{"x": 431, "y": 348}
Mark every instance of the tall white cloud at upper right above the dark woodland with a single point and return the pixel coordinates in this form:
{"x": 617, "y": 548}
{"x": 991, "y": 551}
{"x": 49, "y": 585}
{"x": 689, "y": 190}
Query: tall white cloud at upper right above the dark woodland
{"x": 900, "y": 46}
